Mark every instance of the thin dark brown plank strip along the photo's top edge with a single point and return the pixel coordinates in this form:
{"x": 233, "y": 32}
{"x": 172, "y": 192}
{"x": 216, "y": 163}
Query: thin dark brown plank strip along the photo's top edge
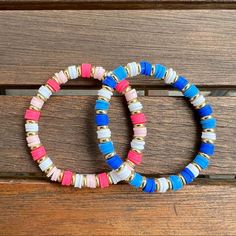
{"x": 114, "y": 4}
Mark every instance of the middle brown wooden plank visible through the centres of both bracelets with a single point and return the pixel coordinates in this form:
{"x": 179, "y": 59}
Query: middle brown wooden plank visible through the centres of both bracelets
{"x": 68, "y": 132}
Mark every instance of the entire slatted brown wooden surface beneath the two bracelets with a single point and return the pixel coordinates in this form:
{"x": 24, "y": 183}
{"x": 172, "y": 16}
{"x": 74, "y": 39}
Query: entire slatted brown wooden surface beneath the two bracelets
{"x": 197, "y": 38}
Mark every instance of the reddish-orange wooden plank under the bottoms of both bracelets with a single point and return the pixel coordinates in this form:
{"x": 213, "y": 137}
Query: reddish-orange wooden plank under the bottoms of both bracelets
{"x": 48, "y": 209}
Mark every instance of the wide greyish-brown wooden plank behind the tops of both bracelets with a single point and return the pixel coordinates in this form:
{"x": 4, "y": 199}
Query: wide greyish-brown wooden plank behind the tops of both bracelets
{"x": 199, "y": 44}
